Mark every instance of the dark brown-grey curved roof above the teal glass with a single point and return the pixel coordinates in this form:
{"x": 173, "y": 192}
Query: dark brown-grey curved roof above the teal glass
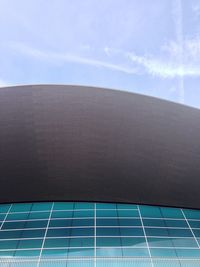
{"x": 73, "y": 143}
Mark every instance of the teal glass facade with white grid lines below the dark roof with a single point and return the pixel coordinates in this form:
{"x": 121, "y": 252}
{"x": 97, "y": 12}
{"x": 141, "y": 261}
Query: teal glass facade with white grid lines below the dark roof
{"x": 98, "y": 234}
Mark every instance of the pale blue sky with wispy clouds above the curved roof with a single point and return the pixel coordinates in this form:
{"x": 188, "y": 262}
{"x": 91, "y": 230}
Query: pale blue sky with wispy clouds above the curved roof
{"x": 150, "y": 47}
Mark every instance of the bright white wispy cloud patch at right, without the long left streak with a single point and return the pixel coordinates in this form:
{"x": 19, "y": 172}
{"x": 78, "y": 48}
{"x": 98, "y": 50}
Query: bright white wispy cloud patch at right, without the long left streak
{"x": 166, "y": 63}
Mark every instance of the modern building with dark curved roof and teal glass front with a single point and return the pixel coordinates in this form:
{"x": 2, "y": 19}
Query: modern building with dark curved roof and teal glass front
{"x": 95, "y": 177}
